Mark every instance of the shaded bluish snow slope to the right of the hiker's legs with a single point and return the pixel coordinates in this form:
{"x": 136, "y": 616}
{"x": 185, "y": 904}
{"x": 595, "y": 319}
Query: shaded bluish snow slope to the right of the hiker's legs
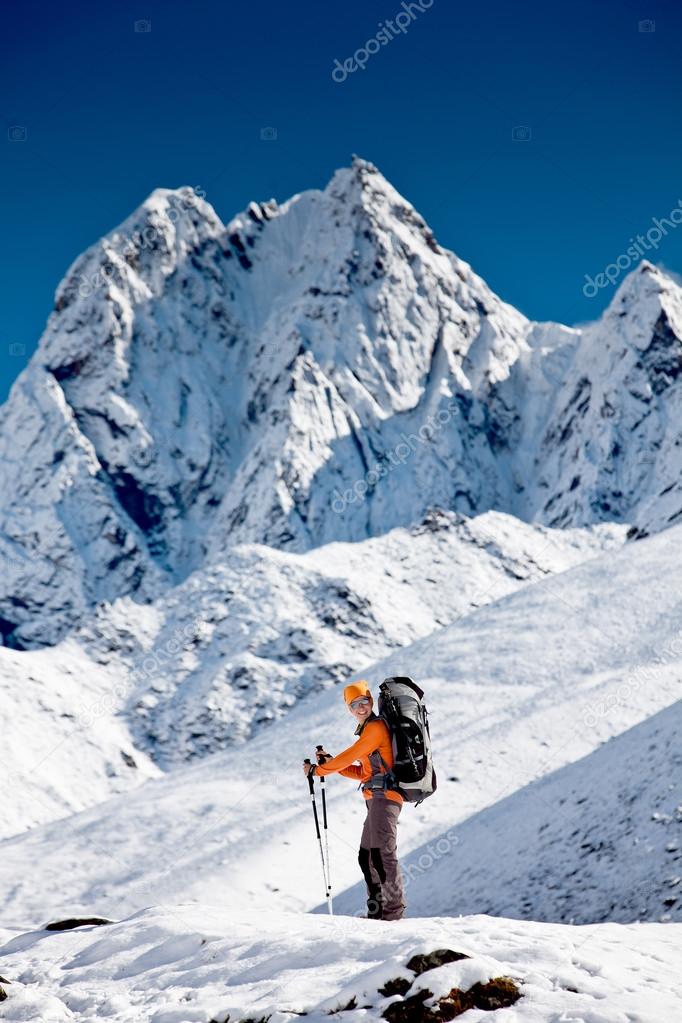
{"x": 599, "y": 840}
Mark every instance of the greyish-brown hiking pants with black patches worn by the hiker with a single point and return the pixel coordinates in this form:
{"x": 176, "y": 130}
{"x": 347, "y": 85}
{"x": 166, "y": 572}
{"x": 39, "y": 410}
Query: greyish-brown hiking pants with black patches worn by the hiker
{"x": 379, "y": 859}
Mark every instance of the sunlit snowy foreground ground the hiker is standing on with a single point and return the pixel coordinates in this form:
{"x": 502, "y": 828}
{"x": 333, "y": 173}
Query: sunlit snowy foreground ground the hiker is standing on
{"x": 193, "y": 964}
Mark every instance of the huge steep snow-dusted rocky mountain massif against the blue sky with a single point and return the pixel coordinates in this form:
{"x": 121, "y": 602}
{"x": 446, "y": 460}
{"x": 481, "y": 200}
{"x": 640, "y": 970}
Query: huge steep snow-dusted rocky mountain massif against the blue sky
{"x": 312, "y": 372}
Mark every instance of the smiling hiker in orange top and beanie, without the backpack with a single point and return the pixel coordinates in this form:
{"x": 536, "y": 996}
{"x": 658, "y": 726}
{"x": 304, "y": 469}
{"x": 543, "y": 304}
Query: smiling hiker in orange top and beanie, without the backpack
{"x": 378, "y": 857}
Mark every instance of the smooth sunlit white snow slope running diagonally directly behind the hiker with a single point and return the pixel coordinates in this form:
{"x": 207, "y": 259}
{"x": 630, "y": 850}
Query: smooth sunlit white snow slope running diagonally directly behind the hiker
{"x": 516, "y": 691}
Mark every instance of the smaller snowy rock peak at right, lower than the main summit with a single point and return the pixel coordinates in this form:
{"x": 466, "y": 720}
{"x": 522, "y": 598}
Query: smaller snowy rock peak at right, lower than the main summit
{"x": 604, "y": 441}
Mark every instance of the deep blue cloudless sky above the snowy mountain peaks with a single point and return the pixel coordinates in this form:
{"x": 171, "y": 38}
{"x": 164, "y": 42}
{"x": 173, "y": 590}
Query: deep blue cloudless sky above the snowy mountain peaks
{"x": 110, "y": 114}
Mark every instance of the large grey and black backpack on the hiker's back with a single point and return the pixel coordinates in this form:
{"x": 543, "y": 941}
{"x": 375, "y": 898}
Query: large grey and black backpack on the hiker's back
{"x": 401, "y": 705}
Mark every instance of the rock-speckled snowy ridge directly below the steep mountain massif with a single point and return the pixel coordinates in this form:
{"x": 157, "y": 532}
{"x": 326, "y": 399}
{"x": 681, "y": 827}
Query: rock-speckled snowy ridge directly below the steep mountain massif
{"x": 234, "y": 647}
